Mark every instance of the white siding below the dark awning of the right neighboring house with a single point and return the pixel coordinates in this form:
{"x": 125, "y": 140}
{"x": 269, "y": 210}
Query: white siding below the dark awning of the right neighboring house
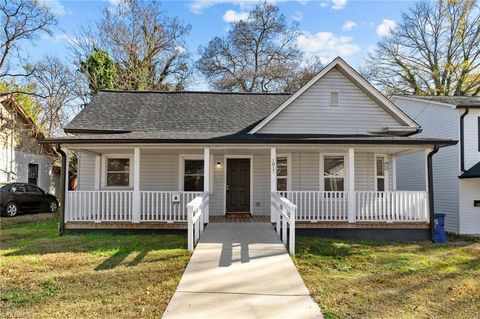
{"x": 470, "y": 216}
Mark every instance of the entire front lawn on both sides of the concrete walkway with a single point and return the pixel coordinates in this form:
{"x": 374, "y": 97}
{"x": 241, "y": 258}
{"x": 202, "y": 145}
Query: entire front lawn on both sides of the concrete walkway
{"x": 100, "y": 275}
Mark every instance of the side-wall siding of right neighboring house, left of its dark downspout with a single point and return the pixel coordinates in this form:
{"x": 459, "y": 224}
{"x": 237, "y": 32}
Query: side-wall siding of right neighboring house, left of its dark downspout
{"x": 437, "y": 121}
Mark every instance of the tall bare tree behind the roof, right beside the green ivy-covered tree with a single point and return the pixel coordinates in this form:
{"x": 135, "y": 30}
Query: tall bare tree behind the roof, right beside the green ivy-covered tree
{"x": 145, "y": 45}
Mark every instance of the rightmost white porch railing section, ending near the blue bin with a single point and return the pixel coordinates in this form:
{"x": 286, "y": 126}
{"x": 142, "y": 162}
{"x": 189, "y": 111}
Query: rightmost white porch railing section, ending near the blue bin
{"x": 396, "y": 206}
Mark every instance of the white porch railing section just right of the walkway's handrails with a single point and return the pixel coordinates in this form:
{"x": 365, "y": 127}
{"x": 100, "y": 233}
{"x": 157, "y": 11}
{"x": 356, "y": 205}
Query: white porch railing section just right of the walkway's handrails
{"x": 319, "y": 206}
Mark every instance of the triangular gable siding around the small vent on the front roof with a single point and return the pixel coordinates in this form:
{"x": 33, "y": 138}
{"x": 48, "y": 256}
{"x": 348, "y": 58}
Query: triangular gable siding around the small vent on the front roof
{"x": 311, "y": 113}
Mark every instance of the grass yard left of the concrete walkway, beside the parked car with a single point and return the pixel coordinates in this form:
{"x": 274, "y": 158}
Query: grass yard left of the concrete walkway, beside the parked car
{"x": 85, "y": 276}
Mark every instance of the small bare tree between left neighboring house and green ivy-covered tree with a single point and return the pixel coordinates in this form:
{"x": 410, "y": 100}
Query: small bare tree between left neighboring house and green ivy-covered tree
{"x": 56, "y": 87}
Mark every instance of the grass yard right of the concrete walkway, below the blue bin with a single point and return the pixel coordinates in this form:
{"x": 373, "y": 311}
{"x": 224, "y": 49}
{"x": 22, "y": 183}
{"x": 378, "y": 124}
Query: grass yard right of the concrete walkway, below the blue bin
{"x": 352, "y": 279}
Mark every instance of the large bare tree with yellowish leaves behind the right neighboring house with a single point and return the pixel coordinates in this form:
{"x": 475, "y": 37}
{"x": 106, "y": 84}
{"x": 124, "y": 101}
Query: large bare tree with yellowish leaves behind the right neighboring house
{"x": 434, "y": 50}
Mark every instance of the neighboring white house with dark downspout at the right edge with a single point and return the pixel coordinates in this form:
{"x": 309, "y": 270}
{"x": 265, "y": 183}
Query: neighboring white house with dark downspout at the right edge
{"x": 456, "y": 171}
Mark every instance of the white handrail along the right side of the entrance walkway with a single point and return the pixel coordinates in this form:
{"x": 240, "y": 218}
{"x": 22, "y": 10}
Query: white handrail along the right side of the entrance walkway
{"x": 285, "y": 213}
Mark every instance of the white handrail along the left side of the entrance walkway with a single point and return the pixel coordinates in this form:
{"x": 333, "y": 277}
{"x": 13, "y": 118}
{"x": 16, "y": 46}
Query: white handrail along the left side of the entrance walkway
{"x": 196, "y": 217}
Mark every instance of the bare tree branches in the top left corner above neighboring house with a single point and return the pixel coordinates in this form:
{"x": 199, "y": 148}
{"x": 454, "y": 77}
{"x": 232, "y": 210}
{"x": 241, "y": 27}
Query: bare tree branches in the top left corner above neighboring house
{"x": 21, "y": 20}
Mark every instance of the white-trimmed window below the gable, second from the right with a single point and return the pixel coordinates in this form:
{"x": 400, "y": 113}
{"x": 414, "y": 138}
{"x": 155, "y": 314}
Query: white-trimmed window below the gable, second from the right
{"x": 334, "y": 173}
